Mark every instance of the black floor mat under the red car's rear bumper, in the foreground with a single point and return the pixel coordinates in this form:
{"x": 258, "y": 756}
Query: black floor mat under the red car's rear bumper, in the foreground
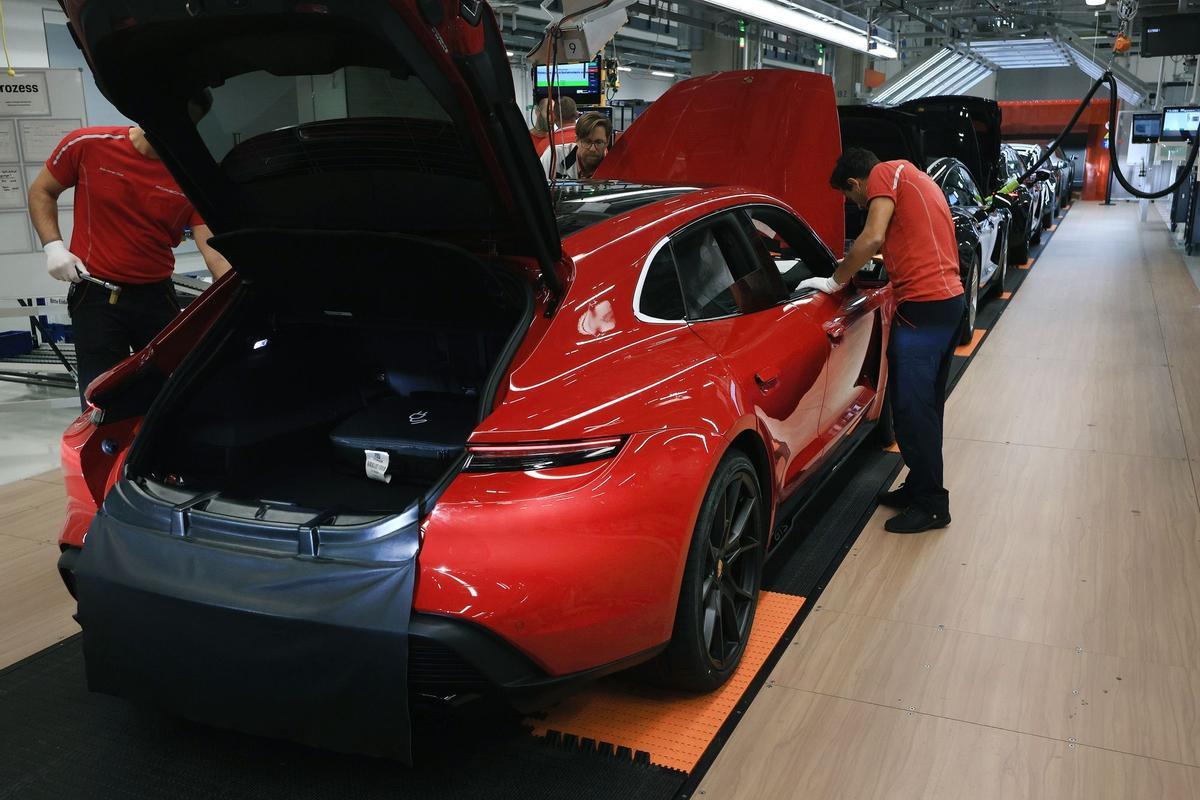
{"x": 61, "y": 742}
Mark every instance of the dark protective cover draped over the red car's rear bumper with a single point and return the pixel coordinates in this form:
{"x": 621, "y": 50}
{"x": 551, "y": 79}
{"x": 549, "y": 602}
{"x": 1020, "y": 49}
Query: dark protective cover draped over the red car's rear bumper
{"x": 267, "y": 643}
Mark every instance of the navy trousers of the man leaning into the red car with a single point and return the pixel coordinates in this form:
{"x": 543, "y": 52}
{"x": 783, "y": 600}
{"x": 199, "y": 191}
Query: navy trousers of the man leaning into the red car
{"x": 920, "y": 354}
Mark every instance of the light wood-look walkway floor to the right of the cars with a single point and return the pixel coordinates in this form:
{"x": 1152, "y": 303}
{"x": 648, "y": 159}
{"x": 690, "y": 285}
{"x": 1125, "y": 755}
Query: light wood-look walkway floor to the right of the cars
{"x": 1048, "y": 643}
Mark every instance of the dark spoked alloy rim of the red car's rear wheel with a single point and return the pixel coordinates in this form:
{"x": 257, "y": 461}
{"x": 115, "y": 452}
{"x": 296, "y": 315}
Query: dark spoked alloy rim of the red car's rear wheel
{"x": 731, "y": 572}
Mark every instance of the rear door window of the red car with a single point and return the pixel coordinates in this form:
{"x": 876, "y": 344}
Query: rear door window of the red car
{"x": 718, "y": 275}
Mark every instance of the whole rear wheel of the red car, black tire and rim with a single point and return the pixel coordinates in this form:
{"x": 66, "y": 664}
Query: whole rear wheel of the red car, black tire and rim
{"x": 705, "y": 648}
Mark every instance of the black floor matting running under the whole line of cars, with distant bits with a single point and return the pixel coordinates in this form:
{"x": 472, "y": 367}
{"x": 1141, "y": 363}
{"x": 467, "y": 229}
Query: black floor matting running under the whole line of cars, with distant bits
{"x": 58, "y": 741}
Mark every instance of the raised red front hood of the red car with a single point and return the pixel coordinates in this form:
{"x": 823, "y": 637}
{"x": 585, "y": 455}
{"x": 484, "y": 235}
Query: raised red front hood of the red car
{"x": 775, "y": 131}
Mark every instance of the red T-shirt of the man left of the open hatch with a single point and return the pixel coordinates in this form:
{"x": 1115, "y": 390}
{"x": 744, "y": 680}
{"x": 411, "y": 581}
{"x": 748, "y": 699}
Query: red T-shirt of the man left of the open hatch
{"x": 129, "y": 212}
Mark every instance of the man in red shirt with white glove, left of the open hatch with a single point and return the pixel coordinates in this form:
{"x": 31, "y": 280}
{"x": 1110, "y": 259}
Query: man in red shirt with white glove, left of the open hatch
{"x": 129, "y": 216}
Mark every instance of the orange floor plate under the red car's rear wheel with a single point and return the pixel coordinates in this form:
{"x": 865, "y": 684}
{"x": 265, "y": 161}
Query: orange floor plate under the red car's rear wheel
{"x": 674, "y": 729}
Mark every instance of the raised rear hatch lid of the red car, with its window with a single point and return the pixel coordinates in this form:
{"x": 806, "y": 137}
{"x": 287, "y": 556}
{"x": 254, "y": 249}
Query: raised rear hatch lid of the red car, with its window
{"x": 337, "y": 116}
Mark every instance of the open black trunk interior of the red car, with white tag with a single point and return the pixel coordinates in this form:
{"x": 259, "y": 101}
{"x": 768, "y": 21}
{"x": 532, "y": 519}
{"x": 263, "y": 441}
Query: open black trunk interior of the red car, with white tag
{"x": 346, "y": 389}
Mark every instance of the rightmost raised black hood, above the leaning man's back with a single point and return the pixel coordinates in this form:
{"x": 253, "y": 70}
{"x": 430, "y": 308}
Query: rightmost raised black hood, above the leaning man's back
{"x": 961, "y": 128}
